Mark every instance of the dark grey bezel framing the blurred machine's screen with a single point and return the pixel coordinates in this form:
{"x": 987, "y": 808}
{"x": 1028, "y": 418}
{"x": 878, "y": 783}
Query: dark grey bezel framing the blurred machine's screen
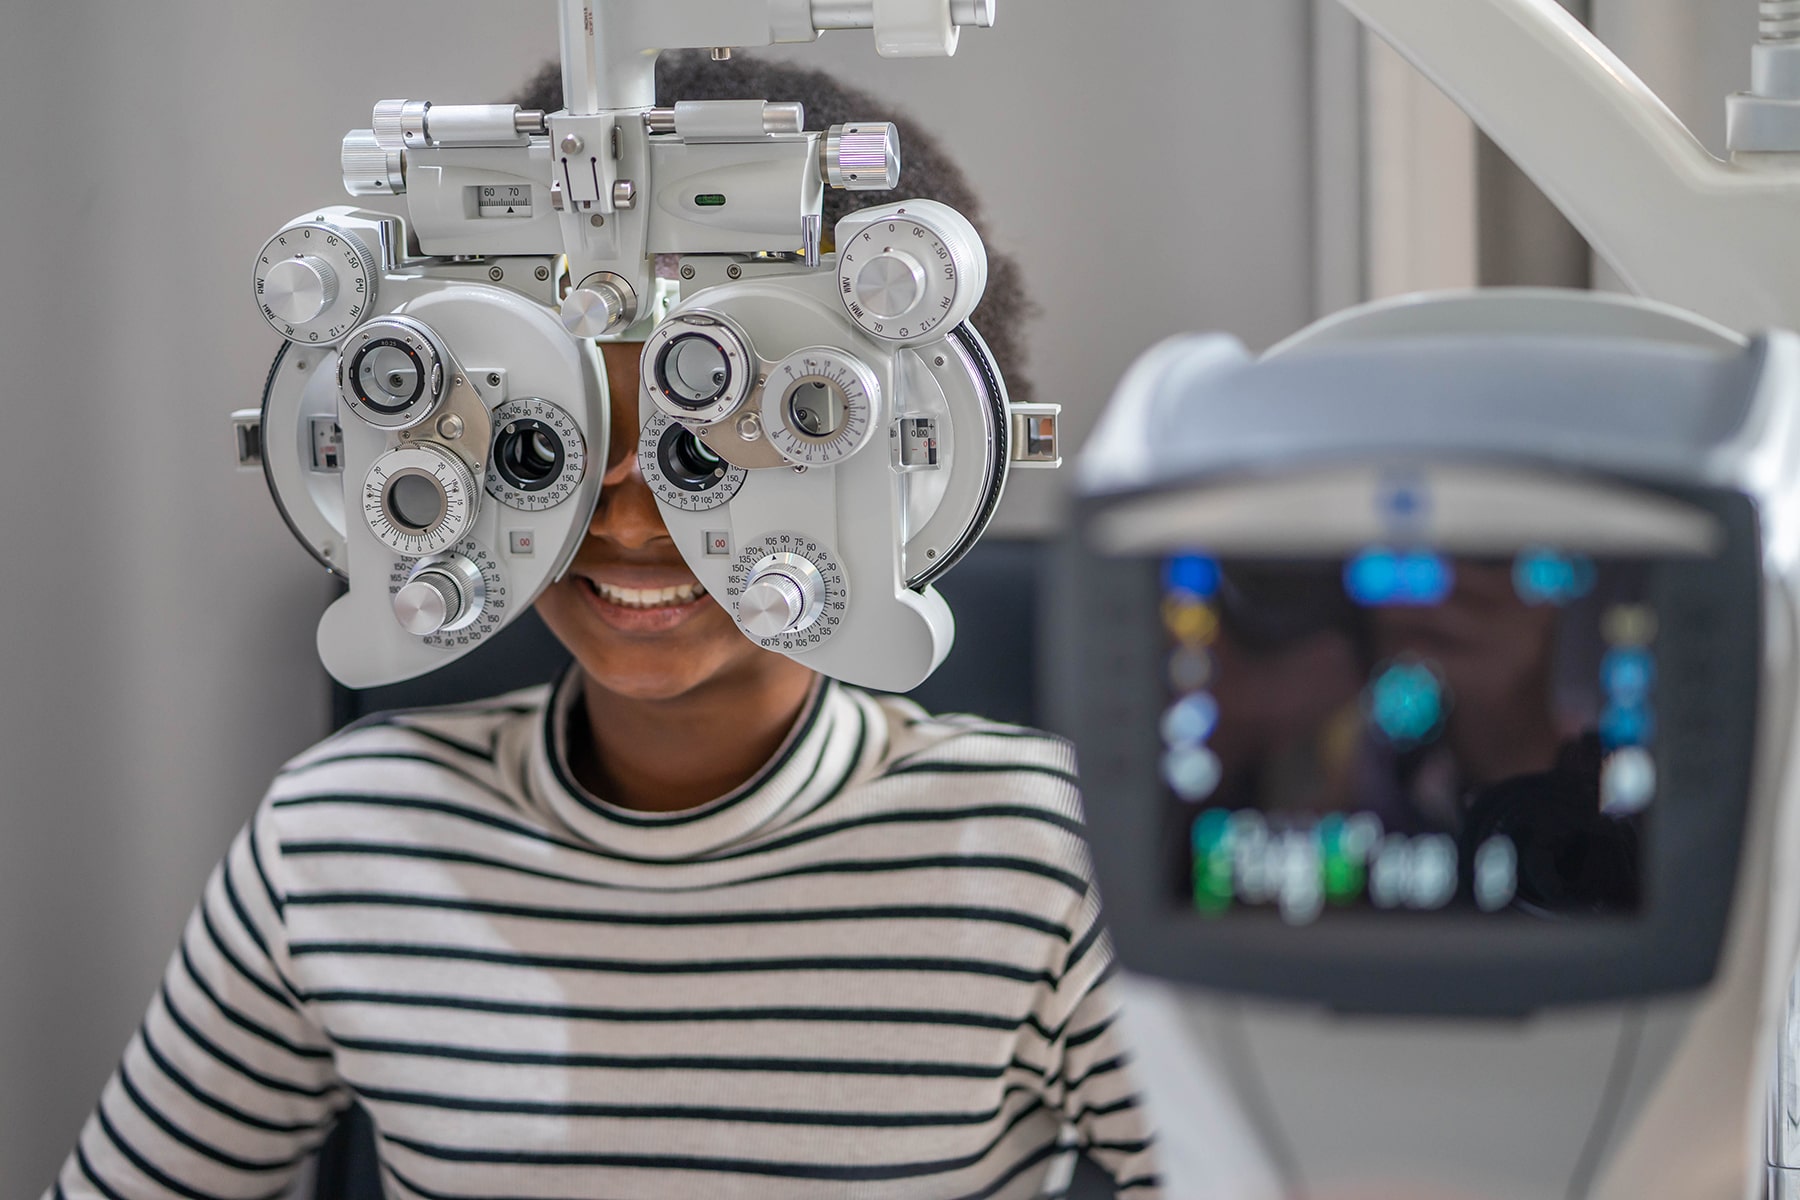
{"x": 1444, "y": 963}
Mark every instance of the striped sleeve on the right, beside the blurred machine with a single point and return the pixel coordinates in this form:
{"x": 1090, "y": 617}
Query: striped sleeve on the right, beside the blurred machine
{"x": 1092, "y": 1070}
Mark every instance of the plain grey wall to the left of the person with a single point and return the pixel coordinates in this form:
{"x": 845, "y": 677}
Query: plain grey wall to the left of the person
{"x": 157, "y": 663}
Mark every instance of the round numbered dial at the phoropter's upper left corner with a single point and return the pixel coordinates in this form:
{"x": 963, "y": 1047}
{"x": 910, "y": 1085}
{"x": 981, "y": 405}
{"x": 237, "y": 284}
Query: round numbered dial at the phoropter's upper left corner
{"x": 314, "y": 282}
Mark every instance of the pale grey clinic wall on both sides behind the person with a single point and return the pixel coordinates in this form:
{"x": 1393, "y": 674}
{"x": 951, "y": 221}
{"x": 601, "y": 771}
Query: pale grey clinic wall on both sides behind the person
{"x": 1162, "y": 166}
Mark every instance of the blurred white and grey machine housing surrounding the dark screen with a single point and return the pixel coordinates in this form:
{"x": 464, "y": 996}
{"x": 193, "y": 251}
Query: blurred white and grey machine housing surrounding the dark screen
{"x": 1626, "y": 1088}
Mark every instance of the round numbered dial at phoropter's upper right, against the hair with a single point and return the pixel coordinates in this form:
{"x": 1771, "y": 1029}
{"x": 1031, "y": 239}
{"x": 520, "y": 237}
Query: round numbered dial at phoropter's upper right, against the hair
{"x": 910, "y": 273}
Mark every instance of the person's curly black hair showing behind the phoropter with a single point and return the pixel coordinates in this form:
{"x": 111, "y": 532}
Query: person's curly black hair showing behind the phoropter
{"x": 930, "y": 172}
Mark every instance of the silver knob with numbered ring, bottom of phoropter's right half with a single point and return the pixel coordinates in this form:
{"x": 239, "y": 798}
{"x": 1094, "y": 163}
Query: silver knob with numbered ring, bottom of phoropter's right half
{"x": 787, "y": 593}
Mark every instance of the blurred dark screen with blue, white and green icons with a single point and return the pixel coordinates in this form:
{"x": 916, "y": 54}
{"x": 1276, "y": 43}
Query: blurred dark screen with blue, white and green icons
{"x": 1403, "y": 731}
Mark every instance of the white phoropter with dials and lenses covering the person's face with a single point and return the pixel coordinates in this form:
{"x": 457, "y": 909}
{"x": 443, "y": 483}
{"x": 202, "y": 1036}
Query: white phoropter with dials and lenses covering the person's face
{"x": 825, "y": 433}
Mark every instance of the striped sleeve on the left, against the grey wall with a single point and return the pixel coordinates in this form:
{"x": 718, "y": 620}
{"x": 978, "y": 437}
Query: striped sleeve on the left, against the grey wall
{"x": 229, "y": 1084}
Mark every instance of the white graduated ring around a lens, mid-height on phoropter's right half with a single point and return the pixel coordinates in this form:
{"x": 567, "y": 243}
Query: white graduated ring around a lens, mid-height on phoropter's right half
{"x": 820, "y": 406}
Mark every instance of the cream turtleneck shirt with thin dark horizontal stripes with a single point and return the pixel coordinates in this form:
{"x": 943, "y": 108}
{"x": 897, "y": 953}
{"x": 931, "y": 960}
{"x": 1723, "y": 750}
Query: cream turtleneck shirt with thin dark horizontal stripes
{"x": 874, "y": 971}
